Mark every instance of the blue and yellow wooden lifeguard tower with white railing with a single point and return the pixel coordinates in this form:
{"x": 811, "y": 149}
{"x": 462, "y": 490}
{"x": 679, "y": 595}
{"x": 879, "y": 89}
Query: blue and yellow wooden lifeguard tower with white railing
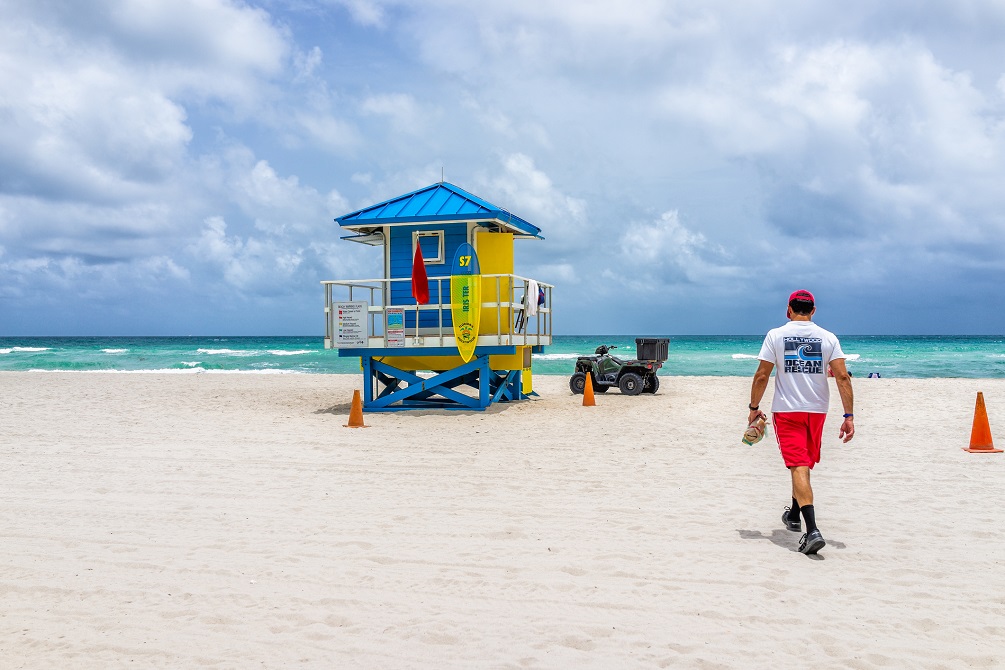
{"x": 410, "y": 352}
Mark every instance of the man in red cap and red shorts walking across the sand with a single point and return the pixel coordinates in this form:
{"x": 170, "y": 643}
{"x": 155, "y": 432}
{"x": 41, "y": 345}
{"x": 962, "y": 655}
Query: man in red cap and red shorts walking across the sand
{"x": 803, "y": 353}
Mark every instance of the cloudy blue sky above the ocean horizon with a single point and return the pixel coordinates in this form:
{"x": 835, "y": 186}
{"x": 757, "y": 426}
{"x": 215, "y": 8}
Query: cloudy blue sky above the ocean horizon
{"x": 173, "y": 167}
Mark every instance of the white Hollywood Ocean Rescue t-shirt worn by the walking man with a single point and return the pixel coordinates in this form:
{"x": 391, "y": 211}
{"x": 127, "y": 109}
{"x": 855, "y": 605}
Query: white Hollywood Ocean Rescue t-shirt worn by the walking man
{"x": 801, "y": 352}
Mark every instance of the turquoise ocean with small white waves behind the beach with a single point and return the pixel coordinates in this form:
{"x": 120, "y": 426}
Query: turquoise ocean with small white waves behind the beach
{"x": 708, "y": 356}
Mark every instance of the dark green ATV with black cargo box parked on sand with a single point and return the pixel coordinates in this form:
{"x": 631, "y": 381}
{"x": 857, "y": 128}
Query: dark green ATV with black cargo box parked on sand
{"x": 632, "y": 377}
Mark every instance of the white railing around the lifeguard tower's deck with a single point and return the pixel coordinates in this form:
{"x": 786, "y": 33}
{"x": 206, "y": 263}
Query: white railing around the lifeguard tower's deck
{"x": 504, "y": 313}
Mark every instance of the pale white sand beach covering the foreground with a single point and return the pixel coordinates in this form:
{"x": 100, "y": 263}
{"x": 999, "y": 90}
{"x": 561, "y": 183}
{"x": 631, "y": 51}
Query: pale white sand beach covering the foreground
{"x": 231, "y": 521}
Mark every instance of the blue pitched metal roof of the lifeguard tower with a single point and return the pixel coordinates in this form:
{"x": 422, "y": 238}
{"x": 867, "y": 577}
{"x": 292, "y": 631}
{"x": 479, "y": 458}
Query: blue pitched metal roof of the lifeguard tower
{"x": 440, "y": 202}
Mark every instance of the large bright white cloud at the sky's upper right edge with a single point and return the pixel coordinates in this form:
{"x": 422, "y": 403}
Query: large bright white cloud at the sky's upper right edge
{"x": 858, "y": 137}
